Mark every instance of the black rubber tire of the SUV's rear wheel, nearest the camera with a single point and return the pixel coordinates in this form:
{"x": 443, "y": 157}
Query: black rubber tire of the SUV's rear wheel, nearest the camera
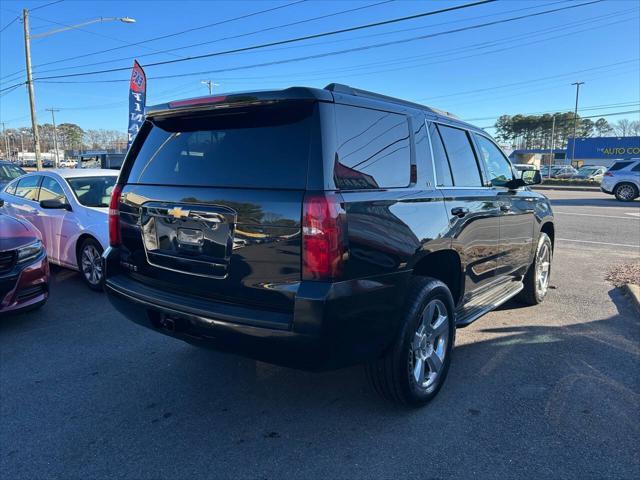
{"x": 392, "y": 375}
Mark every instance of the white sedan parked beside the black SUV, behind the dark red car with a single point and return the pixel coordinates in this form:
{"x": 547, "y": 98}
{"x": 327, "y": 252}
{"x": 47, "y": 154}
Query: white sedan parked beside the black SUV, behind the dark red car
{"x": 70, "y": 208}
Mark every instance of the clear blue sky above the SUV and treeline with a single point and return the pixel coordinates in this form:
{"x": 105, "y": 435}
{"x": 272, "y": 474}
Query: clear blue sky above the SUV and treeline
{"x": 523, "y": 66}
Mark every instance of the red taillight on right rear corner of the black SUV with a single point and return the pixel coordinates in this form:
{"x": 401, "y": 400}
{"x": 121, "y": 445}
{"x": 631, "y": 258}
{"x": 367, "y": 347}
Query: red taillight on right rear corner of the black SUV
{"x": 323, "y": 230}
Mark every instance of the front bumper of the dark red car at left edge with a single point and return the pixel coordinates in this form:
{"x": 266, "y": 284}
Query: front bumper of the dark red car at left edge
{"x": 26, "y": 286}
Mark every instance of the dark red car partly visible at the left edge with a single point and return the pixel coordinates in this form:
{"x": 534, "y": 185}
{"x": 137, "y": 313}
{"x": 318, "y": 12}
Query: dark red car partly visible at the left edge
{"x": 24, "y": 270}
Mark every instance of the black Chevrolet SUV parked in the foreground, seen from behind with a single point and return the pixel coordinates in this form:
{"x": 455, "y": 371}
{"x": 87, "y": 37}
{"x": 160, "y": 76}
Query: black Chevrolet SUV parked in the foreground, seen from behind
{"x": 318, "y": 228}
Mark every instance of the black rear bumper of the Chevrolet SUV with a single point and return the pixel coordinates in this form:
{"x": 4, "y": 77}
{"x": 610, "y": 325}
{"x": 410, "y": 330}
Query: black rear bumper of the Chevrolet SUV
{"x": 332, "y": 324}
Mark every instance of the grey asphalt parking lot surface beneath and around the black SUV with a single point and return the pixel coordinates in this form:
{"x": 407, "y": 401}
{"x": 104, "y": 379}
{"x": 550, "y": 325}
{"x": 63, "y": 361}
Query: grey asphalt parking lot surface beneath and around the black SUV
{"x": 549, "y": 392}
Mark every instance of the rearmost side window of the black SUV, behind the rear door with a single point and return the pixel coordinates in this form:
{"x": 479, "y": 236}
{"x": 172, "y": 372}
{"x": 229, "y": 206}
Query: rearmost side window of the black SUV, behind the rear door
{"x": 373, "y": 149}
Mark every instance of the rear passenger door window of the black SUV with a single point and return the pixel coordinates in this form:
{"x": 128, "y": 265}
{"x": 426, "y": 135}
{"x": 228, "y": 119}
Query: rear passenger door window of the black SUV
{"x": 461, "y": 157}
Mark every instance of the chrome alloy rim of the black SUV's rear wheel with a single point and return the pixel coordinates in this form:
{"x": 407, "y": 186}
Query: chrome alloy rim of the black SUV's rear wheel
{"x": 429, "y": 345}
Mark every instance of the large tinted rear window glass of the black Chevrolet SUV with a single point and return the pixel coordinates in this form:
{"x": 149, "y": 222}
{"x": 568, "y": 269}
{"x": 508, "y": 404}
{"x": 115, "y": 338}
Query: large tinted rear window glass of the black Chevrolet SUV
{"x": 258, "y": 147}
